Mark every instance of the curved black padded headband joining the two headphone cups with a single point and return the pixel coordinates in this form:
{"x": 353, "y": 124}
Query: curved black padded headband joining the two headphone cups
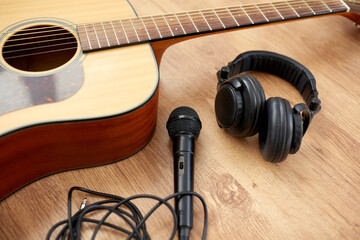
{"x": 289, "y": 69}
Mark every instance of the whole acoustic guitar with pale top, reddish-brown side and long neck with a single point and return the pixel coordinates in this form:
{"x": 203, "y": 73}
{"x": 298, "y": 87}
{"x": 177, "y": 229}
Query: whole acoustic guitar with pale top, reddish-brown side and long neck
{"x": 79, "y": 90}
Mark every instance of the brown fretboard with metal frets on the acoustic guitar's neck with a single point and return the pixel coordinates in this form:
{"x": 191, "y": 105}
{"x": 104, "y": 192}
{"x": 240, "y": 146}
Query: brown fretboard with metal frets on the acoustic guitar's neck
{"x": 95, "y": 36}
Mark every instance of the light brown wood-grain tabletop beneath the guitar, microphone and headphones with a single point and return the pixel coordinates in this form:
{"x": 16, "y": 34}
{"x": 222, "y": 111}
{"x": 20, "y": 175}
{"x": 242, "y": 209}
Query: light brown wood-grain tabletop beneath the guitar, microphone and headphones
{"x": 314, "y": 194}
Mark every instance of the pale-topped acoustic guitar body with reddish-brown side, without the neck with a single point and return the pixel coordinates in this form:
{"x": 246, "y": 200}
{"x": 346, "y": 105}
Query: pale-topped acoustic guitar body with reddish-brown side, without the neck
{"x": 71, "y": 110}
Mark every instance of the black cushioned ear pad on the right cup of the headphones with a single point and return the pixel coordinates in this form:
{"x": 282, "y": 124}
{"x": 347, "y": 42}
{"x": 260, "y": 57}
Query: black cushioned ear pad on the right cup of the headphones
{"x": 276, "y": 132}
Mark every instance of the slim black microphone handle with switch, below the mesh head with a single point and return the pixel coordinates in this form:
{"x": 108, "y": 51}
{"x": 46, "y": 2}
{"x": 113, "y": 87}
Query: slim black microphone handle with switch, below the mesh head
{"x": 183, "y": 148}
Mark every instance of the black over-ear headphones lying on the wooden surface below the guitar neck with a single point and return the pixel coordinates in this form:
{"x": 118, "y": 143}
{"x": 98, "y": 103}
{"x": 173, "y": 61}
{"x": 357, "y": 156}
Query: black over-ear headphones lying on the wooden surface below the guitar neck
{"x": 242, "y": 109}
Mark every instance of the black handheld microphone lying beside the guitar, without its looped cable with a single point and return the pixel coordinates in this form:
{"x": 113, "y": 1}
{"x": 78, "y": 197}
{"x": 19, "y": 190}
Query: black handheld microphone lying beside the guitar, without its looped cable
{"x": 184, "y": 128}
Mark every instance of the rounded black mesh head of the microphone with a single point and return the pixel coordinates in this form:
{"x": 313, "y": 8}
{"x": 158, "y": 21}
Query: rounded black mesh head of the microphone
{"x": 183, "y": 120}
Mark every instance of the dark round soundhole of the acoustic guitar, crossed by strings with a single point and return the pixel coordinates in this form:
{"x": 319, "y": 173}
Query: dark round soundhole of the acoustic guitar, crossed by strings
{"x": 39, "y": 48}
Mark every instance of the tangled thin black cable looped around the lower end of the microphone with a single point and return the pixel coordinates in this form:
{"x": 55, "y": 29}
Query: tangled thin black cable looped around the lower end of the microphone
{"x": 71, "y": 227}
